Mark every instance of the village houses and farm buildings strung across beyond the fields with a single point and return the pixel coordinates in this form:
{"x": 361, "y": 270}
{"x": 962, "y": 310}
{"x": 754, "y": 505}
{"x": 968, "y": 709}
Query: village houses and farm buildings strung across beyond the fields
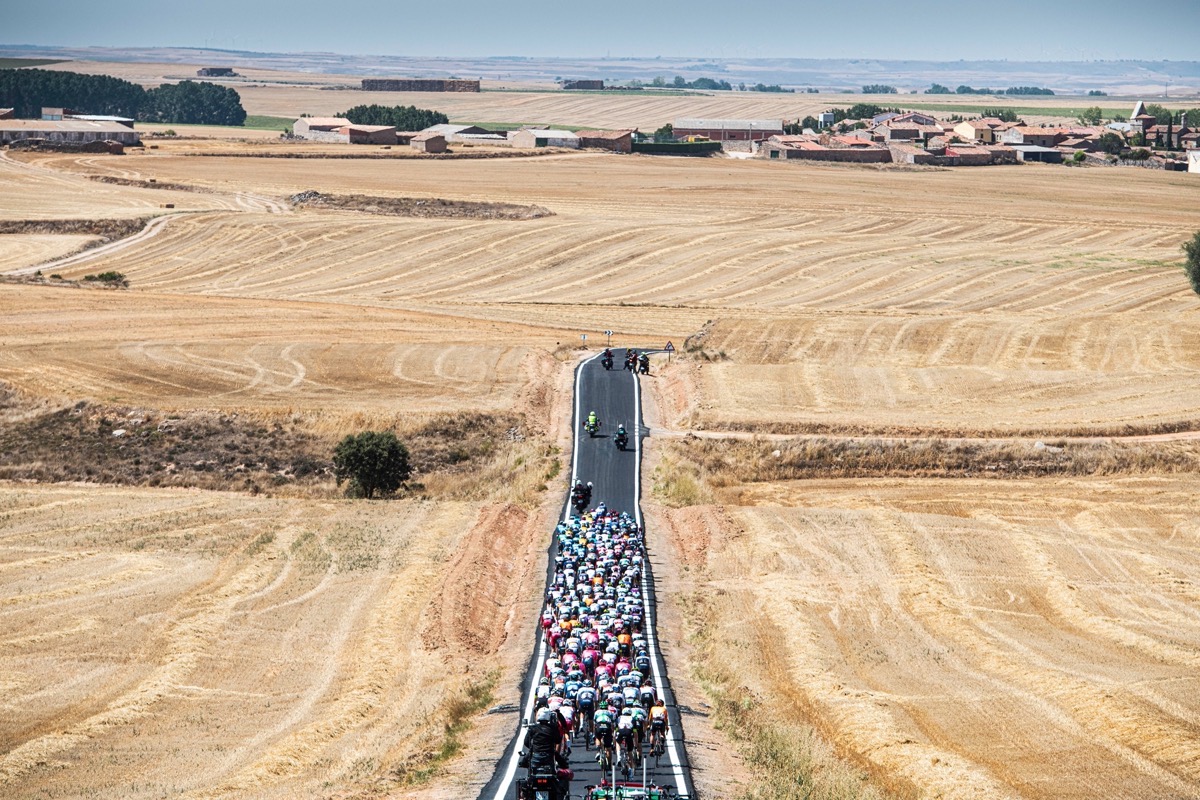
{"x": 889, "y": 137}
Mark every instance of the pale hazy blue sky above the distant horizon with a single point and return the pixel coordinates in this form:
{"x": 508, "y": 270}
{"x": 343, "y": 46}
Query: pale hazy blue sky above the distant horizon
{"x": 898, "y": 29}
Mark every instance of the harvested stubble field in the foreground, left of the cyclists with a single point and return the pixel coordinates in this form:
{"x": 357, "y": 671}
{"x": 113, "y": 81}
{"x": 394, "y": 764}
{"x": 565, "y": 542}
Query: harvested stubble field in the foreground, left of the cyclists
{"x": 208, "y": 645}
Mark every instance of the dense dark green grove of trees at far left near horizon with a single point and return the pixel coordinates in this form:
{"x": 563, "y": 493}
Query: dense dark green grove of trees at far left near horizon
{"x": 27, "y": 92}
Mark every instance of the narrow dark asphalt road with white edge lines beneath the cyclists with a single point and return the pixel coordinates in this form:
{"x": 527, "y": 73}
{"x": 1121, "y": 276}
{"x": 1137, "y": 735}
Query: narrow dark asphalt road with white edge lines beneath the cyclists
{"x": 615, "y": 474}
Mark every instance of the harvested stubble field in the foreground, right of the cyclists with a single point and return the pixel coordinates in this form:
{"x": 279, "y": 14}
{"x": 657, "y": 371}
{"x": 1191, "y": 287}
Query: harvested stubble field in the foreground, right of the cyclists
{"x": 962, "y": 639}
